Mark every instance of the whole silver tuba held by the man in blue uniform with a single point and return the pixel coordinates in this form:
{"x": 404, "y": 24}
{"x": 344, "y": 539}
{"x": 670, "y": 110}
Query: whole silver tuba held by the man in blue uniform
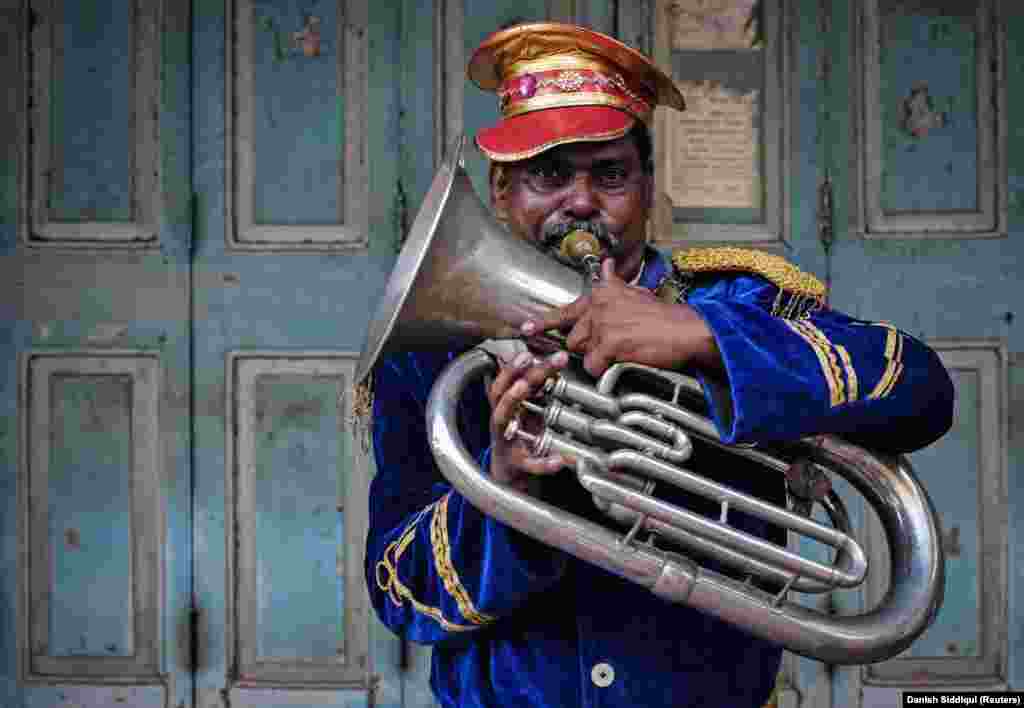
{"x": 462, "y": 278}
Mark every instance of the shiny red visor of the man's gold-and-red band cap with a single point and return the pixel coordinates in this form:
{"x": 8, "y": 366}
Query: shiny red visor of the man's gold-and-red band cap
{"x": 523, "y": 137}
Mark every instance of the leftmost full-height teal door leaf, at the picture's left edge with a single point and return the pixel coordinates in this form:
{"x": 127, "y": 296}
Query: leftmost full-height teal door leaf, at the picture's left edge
{"x": 96, "y": 236}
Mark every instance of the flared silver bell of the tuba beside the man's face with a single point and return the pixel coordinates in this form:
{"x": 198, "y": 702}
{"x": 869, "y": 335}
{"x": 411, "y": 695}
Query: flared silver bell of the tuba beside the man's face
{"x": 461, "y": 277}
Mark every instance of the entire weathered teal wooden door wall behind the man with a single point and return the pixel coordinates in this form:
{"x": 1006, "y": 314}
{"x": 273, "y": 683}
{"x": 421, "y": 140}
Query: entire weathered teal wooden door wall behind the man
{"x": 200, "y": 210}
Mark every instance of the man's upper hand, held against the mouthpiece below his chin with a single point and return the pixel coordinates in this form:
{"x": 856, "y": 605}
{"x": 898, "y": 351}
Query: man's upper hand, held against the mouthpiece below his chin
{"x": 618, "y": 322}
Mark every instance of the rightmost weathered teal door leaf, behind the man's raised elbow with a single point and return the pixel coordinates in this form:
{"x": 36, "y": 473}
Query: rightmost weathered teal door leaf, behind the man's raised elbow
{"x": 923, "y": 239}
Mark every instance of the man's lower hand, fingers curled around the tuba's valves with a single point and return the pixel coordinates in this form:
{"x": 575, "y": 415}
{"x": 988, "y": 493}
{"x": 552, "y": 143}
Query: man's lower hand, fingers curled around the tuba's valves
{"x": 513, "y": 463}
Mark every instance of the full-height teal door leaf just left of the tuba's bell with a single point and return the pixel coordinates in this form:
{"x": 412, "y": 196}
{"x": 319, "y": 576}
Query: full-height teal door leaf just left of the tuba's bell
{"x": 295, "y": 170}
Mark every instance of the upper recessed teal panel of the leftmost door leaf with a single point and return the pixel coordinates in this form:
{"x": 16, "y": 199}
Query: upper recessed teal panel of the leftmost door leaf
{"x": 93, "y": 106}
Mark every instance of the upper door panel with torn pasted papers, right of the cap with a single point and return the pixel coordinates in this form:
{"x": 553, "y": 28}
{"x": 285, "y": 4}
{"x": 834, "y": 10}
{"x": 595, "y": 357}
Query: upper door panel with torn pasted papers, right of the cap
{"x": 722, "y": 163}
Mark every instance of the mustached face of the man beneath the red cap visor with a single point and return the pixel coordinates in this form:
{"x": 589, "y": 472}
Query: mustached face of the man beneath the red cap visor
{"x": 599, "y": 186}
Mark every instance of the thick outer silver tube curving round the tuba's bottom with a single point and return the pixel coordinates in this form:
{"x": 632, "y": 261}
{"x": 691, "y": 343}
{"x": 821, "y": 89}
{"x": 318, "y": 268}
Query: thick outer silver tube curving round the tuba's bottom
{"x": 889, "y": 485}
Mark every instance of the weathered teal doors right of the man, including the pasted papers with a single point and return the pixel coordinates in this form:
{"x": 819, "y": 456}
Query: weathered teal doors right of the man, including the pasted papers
{"x": 882, "y": 159}
